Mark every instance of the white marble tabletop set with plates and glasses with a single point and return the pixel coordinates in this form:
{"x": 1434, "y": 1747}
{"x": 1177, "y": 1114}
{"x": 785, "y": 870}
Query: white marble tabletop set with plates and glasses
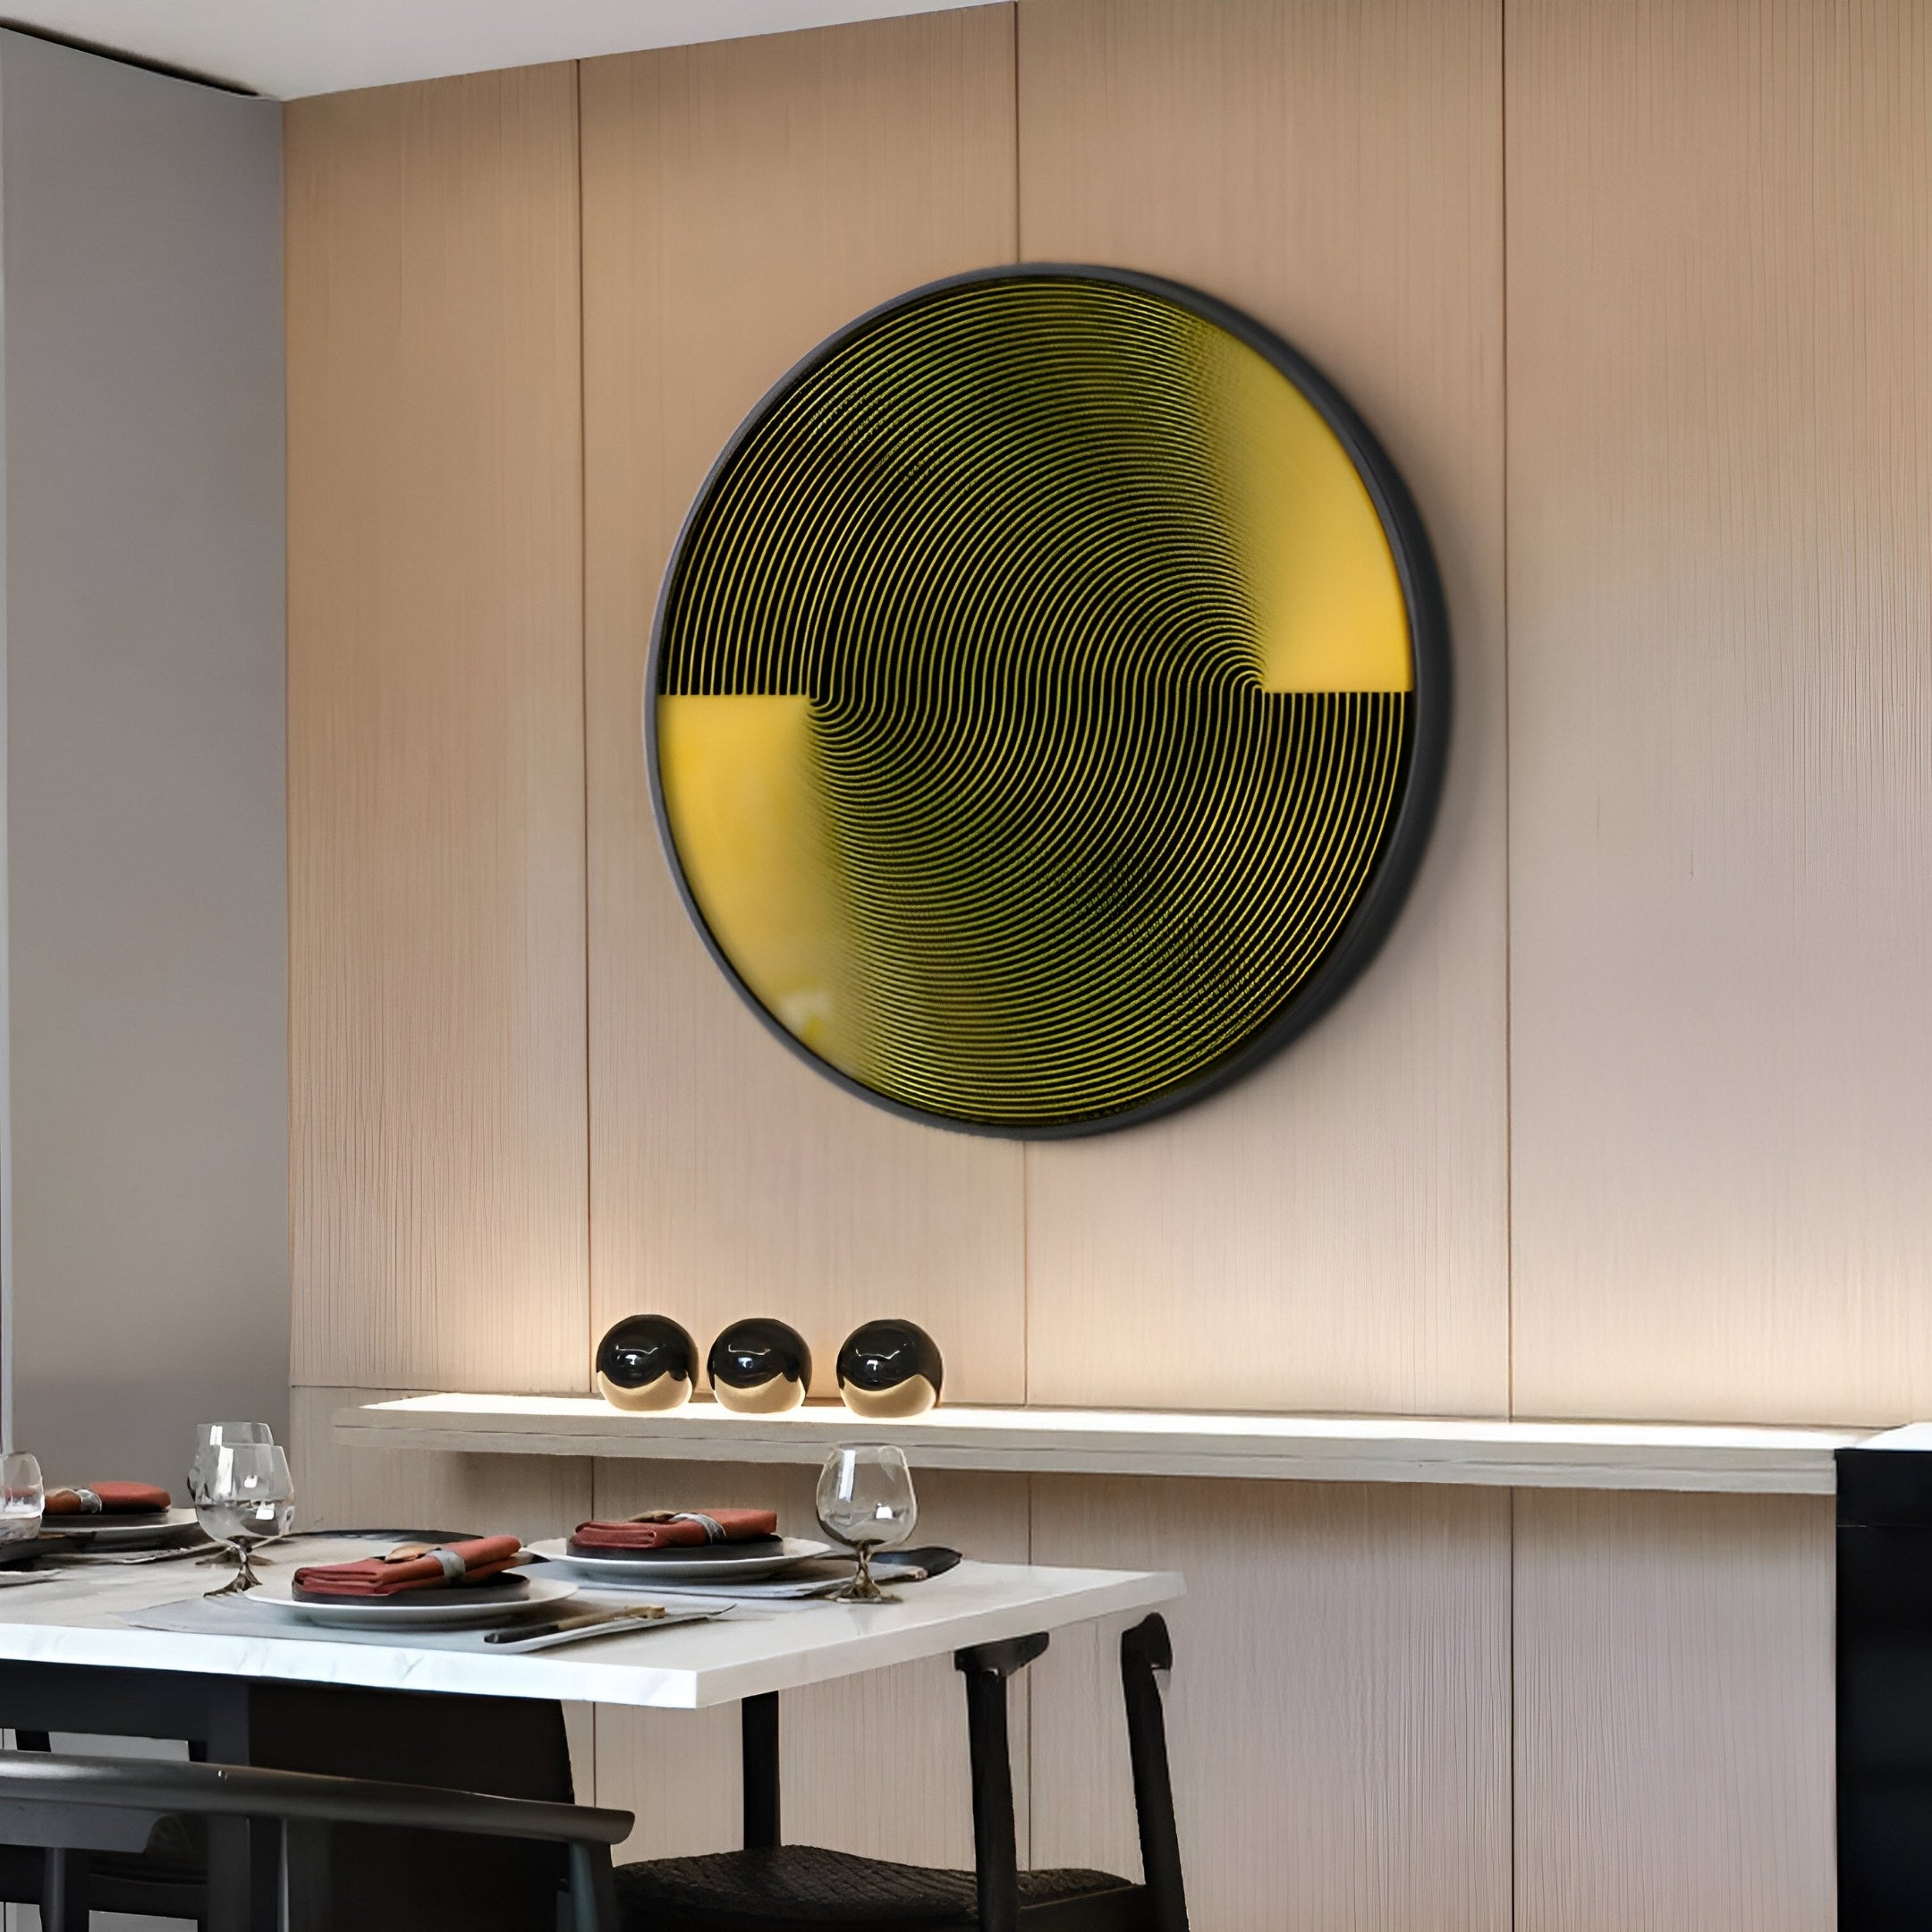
{"x": 88, "y": 1616}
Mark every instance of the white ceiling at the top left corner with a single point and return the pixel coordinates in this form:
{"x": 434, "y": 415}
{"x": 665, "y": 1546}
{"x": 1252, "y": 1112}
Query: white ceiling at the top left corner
{"x": 320, "y": 47}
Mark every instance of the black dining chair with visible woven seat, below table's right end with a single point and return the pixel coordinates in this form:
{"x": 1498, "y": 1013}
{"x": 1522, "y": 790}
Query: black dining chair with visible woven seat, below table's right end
{"x": 770, "y": 1887}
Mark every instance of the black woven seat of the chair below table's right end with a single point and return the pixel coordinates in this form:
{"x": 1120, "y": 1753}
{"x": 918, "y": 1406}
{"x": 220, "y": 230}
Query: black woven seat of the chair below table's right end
{"x": 803, "y": 1887}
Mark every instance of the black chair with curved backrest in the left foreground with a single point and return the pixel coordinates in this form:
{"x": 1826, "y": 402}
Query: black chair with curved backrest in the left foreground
{"x": 74, "y": 1809}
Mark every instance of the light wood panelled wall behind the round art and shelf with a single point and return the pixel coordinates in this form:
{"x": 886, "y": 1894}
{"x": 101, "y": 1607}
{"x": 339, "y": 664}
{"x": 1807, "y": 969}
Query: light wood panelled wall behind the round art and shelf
{"x": 1622, "y": 1122}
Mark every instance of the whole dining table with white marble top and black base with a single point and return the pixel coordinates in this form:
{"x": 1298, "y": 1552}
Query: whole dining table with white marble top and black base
{"x": 140, "y": 1651}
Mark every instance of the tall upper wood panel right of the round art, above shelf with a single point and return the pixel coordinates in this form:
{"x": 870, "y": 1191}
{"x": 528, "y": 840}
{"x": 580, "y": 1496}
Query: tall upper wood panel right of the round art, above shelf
{"x": 1720, "y": 496}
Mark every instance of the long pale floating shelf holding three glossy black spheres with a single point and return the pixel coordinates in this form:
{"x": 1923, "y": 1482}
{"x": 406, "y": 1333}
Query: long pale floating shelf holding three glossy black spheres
{"x": 1100, "y": 1442}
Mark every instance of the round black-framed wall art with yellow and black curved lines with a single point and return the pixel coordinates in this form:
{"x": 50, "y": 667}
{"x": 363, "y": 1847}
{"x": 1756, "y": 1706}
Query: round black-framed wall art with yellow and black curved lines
{"x": 1048, "y": 700}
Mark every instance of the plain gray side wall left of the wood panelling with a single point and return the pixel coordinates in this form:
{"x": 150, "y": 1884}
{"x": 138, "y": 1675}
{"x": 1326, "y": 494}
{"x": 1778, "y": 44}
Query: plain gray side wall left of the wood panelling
{"x": 144, "y": 592}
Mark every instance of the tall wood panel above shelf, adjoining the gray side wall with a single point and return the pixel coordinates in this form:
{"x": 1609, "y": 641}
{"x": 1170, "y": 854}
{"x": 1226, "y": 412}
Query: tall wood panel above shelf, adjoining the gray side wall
{"x": 436, "y": 737}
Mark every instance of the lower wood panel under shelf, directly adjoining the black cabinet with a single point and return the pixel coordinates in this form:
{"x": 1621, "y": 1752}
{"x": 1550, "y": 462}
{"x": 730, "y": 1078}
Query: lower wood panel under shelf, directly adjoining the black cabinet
{"x": 1674, "y": 1713}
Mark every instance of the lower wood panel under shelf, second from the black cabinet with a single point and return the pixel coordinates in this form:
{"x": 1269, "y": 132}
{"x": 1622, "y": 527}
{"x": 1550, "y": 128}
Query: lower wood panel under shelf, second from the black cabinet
{"x": 1338, "y": 1713}
